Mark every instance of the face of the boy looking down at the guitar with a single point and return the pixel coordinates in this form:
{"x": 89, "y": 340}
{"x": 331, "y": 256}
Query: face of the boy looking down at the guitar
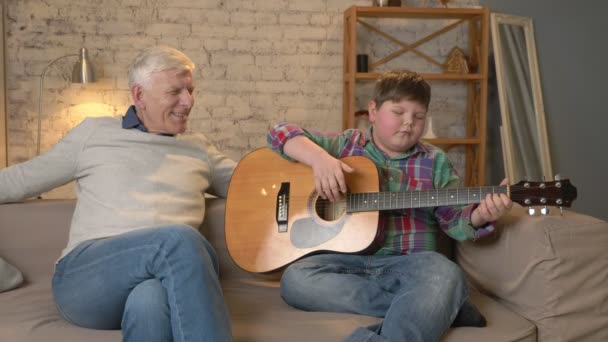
{"x": 397, "y": 126}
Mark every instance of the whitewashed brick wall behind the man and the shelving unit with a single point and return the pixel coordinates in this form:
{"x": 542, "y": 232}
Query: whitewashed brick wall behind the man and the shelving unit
{"x": 259, "y": 62}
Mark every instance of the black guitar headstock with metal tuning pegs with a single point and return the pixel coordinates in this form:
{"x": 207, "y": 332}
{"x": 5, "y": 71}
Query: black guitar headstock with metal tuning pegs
{"x": 559, "y": 193}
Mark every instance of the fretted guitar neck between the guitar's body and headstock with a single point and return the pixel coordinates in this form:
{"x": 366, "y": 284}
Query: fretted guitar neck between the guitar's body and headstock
{"x": 372, "y": 201}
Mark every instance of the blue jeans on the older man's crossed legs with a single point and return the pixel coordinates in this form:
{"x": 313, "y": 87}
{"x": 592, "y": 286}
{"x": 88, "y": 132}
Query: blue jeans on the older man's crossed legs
{"x": 157, "y": 284}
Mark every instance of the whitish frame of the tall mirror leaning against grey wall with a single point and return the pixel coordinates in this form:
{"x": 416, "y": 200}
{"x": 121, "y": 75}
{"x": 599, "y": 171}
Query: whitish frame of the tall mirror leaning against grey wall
{"x": 541, "y": 128}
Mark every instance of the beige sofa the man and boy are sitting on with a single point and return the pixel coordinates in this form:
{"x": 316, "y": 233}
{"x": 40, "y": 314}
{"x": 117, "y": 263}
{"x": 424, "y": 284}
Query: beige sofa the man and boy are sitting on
{"x": 542, "y": 279}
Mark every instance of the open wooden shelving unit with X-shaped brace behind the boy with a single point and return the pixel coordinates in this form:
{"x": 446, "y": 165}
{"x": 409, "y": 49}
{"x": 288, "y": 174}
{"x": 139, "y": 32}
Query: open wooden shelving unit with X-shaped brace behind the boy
{"x": 477, "y": 20}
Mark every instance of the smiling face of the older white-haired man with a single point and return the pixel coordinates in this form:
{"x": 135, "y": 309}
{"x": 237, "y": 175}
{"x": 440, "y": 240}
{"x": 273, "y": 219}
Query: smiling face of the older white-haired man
{"x": 164, "y": 101}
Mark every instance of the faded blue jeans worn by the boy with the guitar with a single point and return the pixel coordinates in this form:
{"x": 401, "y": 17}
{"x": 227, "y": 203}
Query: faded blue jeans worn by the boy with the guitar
{"x": 418, "y": 295}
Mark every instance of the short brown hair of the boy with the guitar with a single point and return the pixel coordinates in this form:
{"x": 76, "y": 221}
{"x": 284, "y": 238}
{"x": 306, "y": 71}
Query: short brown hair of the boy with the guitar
{"x": 399, "y": 85}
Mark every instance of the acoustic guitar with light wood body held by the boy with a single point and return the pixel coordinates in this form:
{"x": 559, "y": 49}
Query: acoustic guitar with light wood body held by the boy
{"x": 274, "y": 216}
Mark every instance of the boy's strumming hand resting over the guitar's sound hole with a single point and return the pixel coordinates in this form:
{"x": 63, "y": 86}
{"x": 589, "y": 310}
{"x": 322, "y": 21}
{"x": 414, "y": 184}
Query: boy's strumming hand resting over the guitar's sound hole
{"x": 329, "y": 176}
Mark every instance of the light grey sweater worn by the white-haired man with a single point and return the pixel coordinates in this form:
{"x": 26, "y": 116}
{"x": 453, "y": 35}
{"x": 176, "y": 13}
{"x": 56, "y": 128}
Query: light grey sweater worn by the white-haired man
{"x": 125, "y": 179}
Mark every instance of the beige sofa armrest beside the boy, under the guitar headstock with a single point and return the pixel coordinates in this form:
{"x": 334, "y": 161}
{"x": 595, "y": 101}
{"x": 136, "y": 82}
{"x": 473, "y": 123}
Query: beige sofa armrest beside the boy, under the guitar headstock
{"x": 552, "y": 270}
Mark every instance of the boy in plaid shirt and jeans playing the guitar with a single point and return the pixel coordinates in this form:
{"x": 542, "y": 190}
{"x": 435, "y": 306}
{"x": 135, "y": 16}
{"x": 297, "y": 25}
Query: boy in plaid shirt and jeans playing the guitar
{"x": 418, "y": 291}
